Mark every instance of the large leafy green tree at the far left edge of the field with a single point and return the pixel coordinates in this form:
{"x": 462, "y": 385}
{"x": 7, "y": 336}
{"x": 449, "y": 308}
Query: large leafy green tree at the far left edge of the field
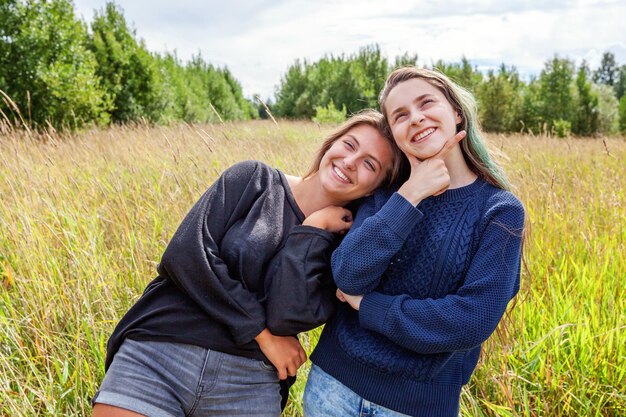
{"x": 47, "y": 69}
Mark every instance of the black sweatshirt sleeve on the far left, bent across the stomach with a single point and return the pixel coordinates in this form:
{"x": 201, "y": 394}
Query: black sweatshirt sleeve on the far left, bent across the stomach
{"x": 192, "y": 258}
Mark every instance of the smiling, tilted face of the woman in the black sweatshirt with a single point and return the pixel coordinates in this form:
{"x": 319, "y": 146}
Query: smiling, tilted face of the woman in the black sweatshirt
{"x": 356, "y": 163}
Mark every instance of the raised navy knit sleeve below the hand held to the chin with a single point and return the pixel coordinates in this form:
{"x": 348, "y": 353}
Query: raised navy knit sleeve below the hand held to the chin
{"x": 375, "y": 237}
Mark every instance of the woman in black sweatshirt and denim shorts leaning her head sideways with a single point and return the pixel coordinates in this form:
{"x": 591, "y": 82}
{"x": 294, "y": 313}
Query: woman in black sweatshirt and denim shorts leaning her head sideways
{"x": 247, "y": 270}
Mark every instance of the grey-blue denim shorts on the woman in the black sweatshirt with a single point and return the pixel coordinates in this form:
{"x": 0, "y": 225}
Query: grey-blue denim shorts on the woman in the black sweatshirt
{"x": 160, "y": 379}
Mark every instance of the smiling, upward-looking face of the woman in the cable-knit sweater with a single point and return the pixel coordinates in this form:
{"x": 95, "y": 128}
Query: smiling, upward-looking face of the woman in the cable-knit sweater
{"x": 420, "y": 117}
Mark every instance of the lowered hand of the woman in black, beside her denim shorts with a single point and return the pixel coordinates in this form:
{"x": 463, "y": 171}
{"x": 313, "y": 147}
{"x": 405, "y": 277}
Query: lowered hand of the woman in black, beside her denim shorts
{"x": 285, "y": 352}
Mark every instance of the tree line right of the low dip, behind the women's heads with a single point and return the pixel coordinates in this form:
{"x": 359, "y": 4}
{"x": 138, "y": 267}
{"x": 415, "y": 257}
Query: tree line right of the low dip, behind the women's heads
{"x": 563, "y": 99}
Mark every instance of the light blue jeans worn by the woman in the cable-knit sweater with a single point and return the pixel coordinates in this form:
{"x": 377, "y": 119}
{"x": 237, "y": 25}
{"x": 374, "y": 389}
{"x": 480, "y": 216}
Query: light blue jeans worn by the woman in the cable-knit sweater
{"x": 324, "y": 396}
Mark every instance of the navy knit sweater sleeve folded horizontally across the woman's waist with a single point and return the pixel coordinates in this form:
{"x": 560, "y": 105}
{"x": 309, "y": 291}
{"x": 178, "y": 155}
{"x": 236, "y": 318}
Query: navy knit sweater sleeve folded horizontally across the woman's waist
{"x": 467, "y": 318}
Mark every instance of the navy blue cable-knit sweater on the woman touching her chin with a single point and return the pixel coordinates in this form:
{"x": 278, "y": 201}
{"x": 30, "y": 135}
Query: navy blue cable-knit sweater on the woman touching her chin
{"x": 437, "y": 280}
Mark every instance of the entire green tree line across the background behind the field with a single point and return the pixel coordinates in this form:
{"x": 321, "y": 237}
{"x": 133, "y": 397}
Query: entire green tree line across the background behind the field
{"x": 56, "y": 70}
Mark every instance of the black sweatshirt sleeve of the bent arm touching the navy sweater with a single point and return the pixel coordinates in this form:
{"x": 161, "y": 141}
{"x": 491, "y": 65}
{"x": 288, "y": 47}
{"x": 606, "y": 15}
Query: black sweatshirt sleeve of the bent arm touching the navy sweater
{"x": 300, "y": 293}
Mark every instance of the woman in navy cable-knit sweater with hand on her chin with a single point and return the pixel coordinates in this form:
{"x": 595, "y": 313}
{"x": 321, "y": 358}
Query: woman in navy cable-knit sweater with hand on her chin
{"x": 426, "y": 271}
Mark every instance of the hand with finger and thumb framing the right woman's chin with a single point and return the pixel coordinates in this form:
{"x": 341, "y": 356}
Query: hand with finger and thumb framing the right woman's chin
{"x": 430, "y": 176}
